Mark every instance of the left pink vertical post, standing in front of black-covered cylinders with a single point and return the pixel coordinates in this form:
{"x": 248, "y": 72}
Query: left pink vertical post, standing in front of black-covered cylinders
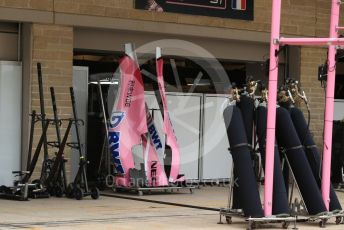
{"x": 271, "y": 119}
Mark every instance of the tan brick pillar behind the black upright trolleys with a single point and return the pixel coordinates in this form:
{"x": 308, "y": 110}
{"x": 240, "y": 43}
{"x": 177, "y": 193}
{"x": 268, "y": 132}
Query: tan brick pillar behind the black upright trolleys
{"x": 53, "y": 47}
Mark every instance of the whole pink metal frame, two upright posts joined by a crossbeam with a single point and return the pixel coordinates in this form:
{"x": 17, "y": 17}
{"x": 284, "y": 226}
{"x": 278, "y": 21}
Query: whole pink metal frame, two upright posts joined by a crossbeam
{"x": 275, "y": 43}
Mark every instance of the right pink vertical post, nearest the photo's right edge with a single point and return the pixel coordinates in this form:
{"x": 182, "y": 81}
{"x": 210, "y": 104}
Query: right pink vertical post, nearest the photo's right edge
{"x": 329, "y": 107}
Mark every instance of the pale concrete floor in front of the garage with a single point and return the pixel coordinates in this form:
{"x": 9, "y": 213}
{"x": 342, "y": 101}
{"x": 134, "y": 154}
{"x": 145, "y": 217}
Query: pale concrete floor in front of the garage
{"x": 116, "y": 213}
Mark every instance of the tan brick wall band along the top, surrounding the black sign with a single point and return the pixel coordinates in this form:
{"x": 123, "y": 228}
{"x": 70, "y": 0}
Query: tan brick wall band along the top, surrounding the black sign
{"x": 299, "y": 17}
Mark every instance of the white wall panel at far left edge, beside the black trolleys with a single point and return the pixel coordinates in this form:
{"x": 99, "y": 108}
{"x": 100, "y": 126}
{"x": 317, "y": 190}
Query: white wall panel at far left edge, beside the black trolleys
{"x": 10, "y": 120}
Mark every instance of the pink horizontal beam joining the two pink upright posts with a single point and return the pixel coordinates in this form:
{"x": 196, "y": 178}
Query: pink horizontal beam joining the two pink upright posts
{"x": 311, "y": 41}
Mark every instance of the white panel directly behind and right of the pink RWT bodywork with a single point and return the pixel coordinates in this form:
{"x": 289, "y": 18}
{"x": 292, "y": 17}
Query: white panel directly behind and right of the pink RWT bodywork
{"x": 185, "y": 114}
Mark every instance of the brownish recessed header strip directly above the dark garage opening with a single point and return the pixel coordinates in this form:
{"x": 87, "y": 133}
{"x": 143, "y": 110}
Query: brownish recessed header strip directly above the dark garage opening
{"x": 114, "y": 40}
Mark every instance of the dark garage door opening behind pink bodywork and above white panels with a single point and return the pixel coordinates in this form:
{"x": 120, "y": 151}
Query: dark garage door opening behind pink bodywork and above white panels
{"x": 182, "y": 75}
